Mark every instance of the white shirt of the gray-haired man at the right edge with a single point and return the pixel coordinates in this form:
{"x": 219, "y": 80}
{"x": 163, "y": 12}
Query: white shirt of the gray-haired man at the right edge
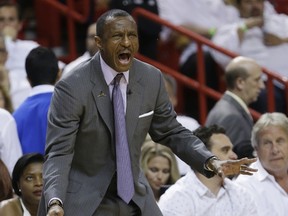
{"x": 270, "y": 198}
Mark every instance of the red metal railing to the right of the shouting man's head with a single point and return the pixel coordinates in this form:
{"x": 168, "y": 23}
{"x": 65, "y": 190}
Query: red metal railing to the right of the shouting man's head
{"x": 199, "y": 84}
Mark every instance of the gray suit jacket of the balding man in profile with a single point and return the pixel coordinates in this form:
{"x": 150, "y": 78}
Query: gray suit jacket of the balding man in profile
{"x": 229, "y": 114}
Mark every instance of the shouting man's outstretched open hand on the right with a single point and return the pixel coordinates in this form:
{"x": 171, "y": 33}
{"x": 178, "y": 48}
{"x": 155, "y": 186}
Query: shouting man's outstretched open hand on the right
{"x": 234, "y": 167}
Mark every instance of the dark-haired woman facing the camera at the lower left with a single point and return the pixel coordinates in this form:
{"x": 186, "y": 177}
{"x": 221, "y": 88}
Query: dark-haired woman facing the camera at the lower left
{"x": 27, "y": 183}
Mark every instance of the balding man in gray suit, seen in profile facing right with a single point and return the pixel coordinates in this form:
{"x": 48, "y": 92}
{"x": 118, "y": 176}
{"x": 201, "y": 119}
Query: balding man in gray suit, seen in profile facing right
{"x": 244, "y": 83}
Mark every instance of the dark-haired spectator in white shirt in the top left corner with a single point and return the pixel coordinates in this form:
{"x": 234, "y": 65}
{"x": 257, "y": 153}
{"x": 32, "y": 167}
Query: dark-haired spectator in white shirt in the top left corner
{"x": 10, "y": 25}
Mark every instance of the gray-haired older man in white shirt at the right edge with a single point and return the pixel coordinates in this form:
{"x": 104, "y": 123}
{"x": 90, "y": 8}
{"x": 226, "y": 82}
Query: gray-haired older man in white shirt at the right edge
{"x": 269, "y": 186}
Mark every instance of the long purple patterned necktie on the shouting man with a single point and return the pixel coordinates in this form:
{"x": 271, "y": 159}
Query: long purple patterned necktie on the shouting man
{"x": 125, "y": 185}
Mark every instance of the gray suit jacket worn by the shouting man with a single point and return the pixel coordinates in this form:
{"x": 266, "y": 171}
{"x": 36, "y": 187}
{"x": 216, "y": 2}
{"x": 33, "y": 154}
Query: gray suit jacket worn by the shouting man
{"x": 80, "y": 152}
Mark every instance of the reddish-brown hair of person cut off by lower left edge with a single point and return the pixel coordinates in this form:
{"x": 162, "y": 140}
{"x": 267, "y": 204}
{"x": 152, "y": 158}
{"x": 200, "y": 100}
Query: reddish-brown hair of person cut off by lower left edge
{"x": 6, "y": 191}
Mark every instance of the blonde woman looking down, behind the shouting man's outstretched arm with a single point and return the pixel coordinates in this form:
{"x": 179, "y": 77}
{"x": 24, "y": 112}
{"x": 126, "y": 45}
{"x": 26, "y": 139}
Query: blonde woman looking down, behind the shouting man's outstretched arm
{"x": 160, "y": 167}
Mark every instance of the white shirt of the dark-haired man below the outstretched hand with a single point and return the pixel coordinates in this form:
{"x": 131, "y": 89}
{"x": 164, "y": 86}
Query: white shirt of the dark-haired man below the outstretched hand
{"x": 189, "y": 197}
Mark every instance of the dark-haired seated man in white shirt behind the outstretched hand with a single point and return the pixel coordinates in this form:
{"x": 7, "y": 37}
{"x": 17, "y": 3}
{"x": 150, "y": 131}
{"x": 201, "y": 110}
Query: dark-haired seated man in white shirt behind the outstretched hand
{"x": 194, "y": 194}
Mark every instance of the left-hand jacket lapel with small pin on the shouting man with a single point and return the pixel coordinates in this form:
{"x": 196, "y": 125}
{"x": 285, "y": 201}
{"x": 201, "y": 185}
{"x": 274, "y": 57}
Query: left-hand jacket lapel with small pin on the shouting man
{"x": 101, "y": 94}
